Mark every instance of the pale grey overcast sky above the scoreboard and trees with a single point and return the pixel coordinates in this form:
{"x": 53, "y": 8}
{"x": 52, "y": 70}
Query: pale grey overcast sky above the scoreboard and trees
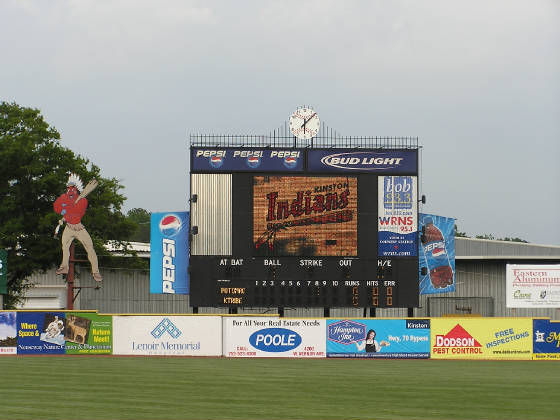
{"x": 126, "y": 82}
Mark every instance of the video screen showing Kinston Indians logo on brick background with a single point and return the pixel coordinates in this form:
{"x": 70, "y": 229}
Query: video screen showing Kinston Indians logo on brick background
{"x": 305, "y": 216}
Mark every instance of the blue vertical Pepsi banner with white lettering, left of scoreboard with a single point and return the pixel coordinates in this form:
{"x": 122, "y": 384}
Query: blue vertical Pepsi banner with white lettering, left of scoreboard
{"x": 169, "y": 252}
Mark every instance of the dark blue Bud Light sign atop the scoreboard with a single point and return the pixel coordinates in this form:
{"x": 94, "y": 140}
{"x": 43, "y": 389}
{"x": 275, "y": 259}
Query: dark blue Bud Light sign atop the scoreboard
{"x": 364, "y": 161}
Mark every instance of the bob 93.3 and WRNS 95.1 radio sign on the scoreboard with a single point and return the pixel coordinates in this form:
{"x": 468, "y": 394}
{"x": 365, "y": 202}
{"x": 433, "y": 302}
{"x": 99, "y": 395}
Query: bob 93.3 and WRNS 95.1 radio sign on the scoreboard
{"x": 397, "y": 216}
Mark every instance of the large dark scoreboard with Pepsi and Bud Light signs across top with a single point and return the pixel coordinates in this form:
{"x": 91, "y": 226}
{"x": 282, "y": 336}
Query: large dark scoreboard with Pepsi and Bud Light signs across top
{"x": 304, "y": 225}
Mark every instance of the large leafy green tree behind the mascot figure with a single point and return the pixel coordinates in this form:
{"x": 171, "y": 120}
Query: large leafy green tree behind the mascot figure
{"x": 34, "y": 168}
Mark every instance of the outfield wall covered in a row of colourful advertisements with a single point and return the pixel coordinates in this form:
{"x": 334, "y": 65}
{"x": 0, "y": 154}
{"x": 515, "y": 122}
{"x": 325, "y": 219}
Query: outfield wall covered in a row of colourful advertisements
{"x": 87, "y": 332}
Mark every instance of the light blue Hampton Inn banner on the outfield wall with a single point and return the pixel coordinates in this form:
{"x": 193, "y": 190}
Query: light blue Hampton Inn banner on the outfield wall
{"x": 379, "y": 338}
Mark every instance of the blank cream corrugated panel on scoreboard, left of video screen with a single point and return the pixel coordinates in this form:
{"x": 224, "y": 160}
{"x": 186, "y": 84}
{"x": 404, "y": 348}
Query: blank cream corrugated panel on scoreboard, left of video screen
{"x": 212, "y": 214}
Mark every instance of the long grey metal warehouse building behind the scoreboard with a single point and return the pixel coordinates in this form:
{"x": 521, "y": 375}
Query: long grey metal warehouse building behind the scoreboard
{"x": 480, "y": 288}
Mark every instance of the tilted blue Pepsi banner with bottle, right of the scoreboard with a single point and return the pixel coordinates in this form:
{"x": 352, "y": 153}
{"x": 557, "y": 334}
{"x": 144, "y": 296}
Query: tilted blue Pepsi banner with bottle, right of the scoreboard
{"x": 436, "y": 254}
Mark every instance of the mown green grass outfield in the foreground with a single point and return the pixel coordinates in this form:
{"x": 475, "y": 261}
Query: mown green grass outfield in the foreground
{"x": 93, "y": 388}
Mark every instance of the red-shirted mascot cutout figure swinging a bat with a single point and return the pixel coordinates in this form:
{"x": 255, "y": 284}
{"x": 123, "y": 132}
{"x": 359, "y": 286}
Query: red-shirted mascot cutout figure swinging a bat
{"x": 72, "y": 206}
